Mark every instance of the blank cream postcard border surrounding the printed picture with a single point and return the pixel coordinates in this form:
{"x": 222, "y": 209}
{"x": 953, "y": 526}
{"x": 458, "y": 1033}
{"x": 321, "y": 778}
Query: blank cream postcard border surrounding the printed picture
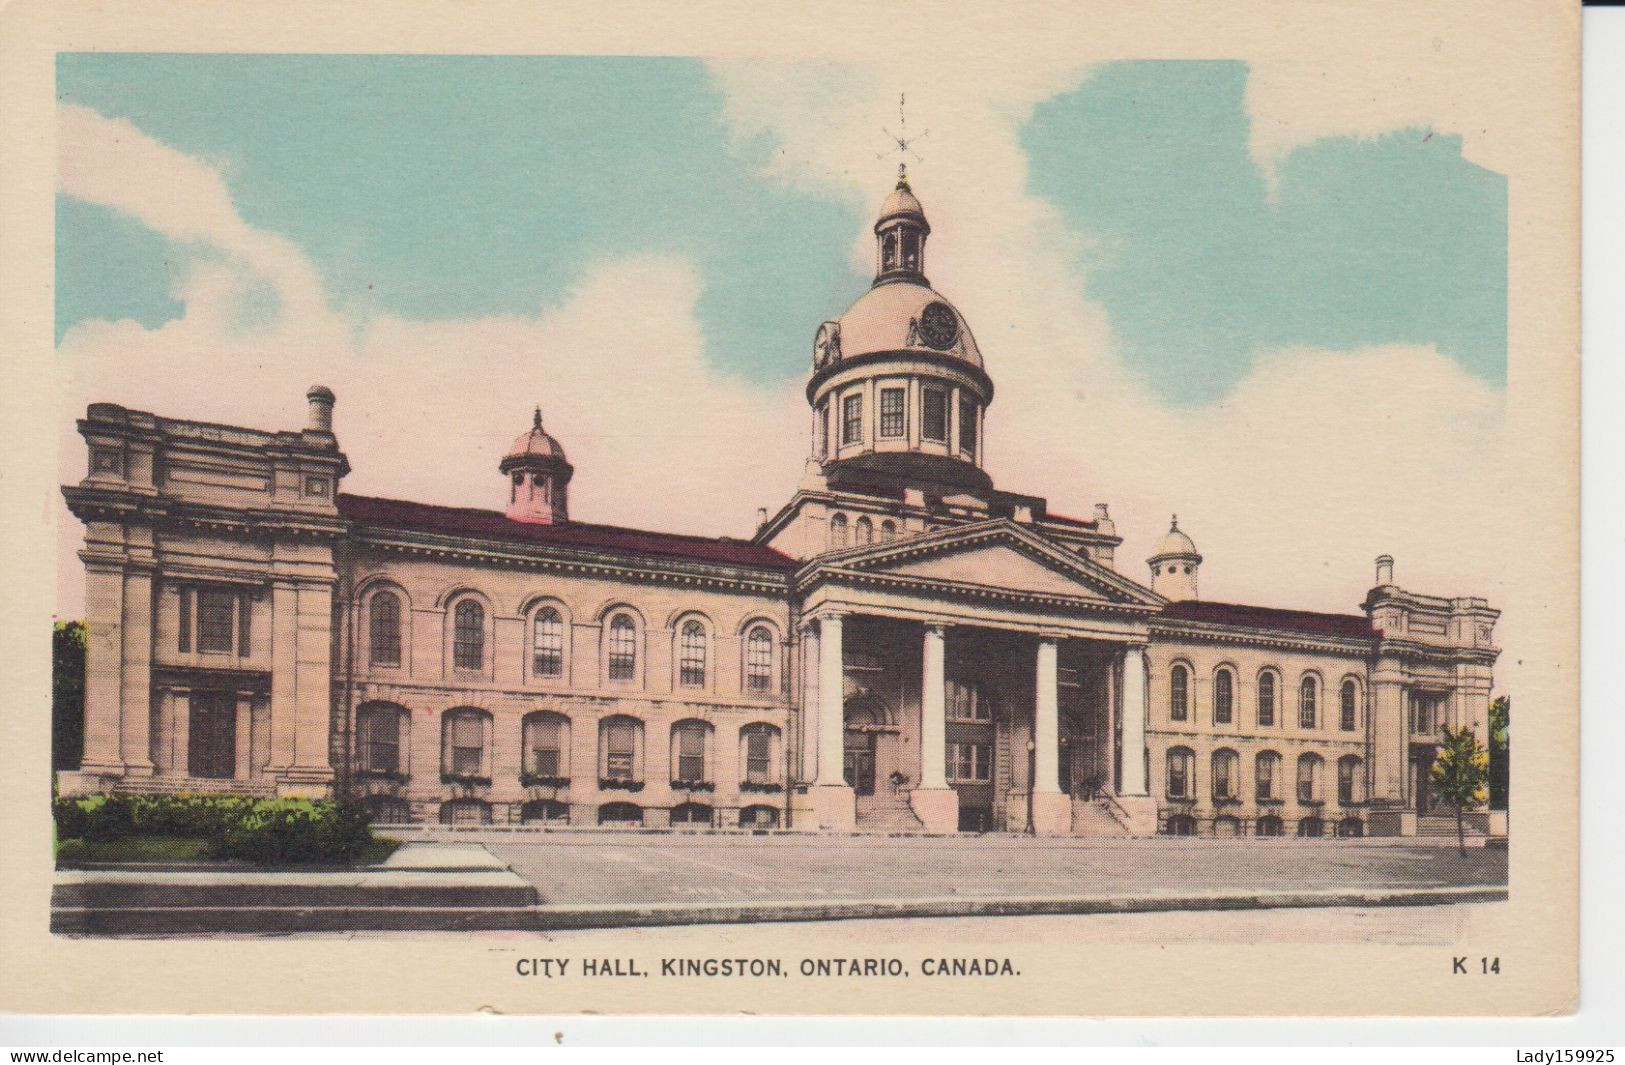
{"x": 1520, "y": 56}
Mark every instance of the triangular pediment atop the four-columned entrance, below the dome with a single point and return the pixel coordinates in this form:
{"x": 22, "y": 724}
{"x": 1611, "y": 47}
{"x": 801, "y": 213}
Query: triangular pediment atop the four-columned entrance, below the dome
{"x": 997, "y": 555}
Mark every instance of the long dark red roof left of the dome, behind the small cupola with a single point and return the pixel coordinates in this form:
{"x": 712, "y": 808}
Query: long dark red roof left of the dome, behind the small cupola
{"x": 613, "y": 539}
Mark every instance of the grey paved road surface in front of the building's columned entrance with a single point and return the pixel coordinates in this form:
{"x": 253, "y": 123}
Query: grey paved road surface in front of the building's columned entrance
{"x": 609, "y": 867}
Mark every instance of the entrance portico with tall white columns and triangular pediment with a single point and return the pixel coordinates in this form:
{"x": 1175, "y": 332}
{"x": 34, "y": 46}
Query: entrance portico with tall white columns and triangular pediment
{"x": 982, "y": 676}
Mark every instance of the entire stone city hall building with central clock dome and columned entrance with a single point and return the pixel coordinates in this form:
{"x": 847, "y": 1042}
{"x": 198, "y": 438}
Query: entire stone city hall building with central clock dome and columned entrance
{"x": 904, "y": 646}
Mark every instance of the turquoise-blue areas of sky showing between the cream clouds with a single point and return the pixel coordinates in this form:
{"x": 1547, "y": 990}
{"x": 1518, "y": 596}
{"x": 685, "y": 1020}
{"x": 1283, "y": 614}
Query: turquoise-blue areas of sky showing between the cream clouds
{"x": 456, "y": 188}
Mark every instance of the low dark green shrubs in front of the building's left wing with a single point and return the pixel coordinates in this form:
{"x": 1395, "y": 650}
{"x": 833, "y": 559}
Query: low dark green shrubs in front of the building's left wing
{"x": 285, "y": 832}
